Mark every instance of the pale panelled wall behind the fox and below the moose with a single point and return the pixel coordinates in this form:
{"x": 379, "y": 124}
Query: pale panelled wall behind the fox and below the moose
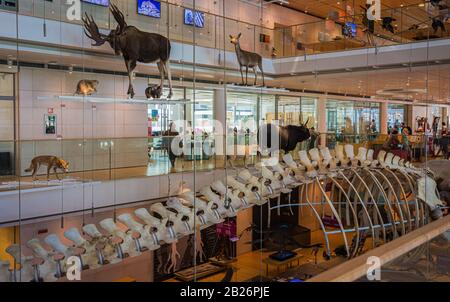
{"x": 81, "y": 127}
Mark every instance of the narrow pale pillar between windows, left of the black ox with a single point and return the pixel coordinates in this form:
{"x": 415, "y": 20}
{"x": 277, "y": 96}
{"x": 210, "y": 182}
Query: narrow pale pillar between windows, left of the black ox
{"x": 220, "y": 121}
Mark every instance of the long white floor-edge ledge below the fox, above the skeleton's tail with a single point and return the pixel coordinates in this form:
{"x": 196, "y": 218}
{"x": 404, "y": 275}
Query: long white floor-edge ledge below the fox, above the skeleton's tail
{"x": 74, "y": 196}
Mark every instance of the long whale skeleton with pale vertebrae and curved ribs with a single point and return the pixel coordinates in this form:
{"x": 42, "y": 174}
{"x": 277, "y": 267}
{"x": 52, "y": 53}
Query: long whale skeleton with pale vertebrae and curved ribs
{"x": 384, "y": 197}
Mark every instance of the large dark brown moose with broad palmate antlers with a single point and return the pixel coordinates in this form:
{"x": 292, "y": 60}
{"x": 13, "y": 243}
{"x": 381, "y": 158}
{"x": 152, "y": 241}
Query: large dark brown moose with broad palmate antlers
{"x": 134, "y": 45}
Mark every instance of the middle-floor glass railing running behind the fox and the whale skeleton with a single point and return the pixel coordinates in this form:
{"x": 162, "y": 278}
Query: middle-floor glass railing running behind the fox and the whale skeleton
{"x": 120, "y": 158}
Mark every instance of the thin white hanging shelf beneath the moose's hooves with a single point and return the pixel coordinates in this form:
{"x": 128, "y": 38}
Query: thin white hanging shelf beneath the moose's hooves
{"x": 103, "y": 100}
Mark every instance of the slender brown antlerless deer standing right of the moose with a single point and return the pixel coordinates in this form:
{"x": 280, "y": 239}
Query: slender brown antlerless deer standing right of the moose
{"x": 248, "y": 60}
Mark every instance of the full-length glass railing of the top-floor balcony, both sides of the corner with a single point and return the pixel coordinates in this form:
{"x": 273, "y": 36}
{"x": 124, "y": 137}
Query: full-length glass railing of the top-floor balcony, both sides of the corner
{"x": 343, "y": 33}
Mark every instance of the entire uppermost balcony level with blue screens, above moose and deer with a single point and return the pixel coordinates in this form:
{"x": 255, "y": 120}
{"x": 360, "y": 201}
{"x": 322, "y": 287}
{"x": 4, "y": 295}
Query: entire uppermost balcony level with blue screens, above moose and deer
{"x": 338, "y": 27}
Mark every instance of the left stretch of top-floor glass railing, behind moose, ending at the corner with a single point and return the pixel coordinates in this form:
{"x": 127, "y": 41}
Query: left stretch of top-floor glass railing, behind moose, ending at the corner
{"x": 214, "y": 33}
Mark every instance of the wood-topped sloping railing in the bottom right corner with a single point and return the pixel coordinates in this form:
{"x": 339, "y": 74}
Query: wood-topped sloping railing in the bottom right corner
{"x": 422, "y": 258}
